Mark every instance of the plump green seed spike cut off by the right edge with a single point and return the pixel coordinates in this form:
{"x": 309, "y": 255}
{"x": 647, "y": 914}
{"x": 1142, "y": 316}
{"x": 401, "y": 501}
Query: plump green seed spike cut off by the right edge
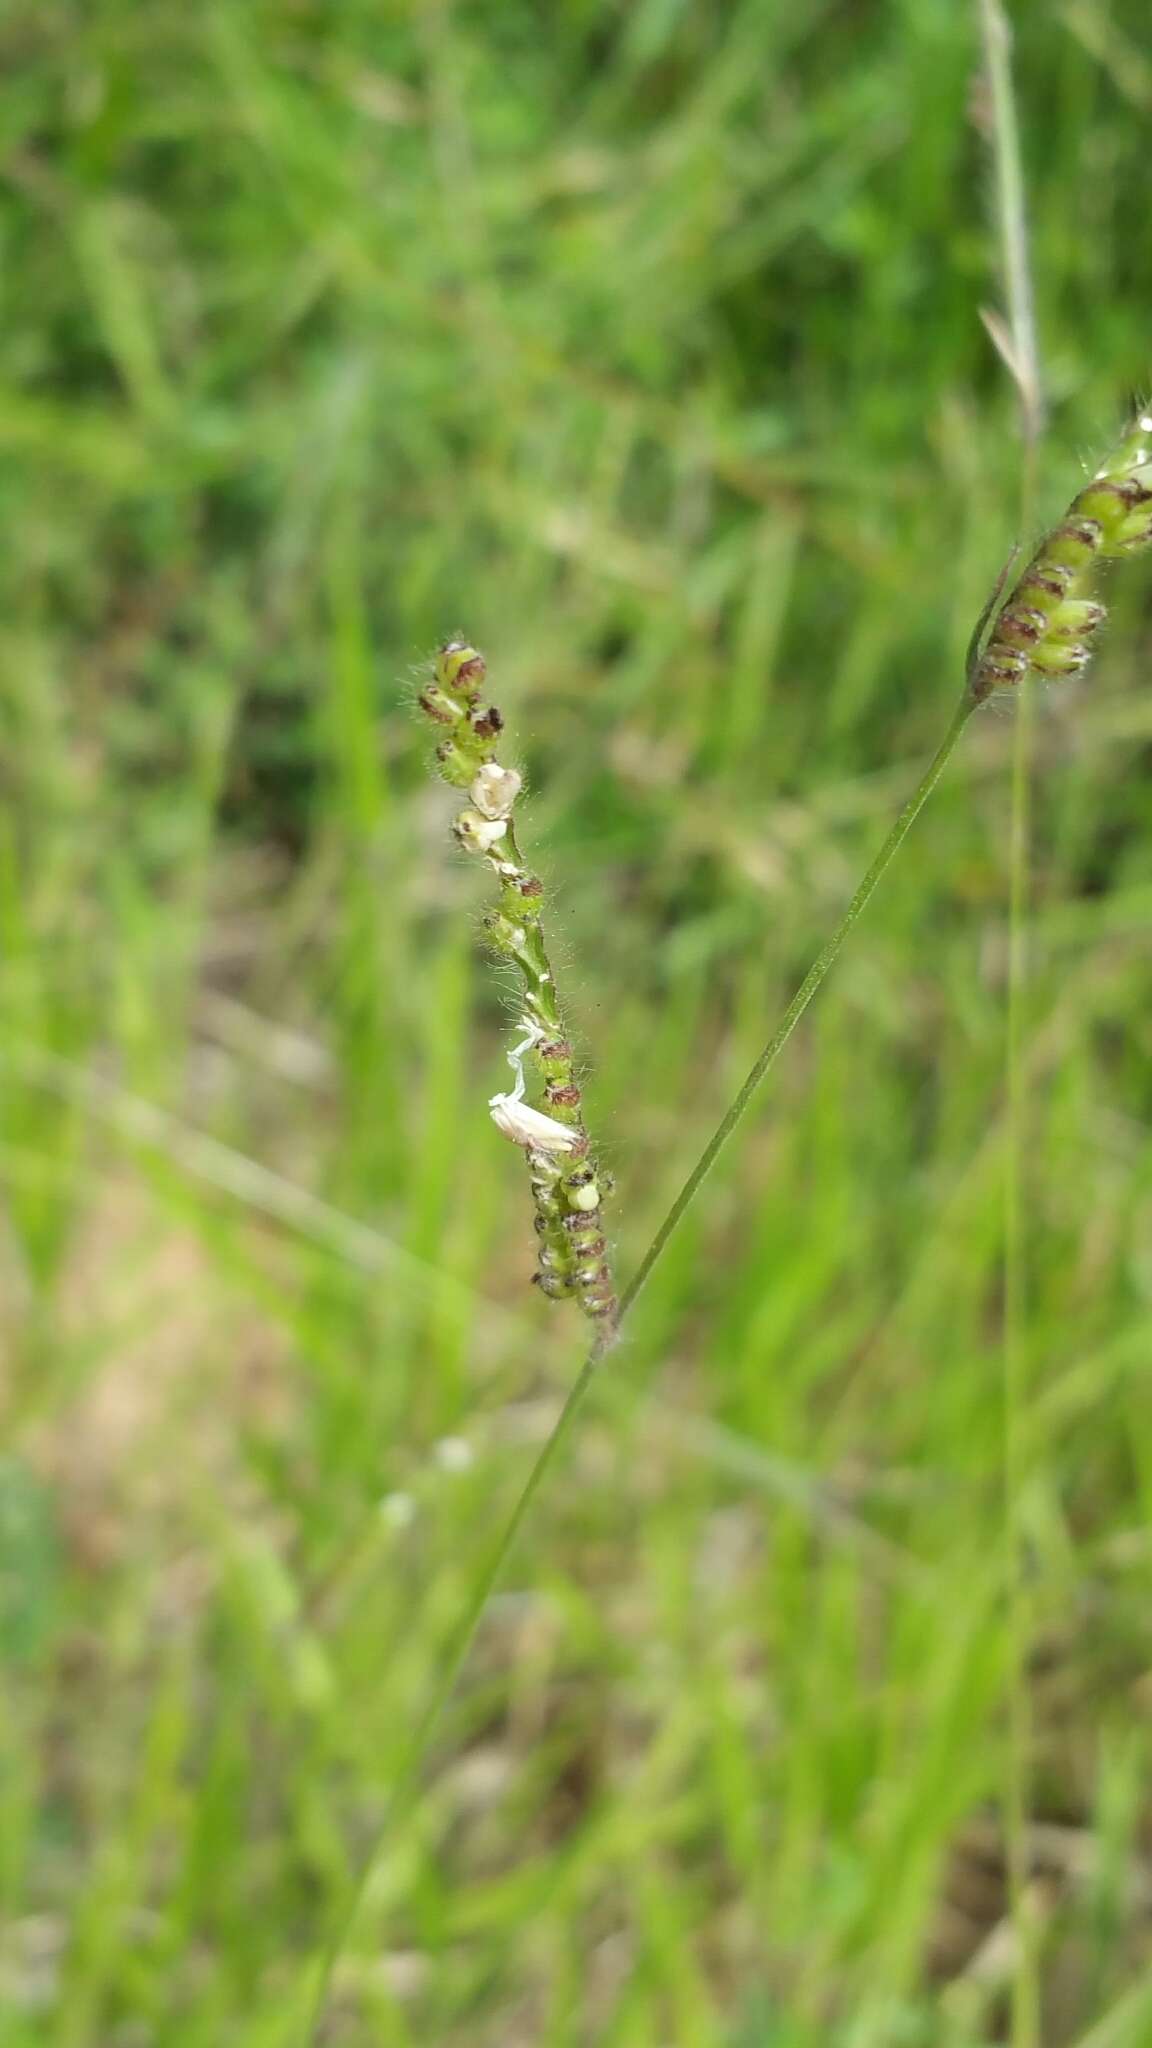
{"x": 1048, "y": 622}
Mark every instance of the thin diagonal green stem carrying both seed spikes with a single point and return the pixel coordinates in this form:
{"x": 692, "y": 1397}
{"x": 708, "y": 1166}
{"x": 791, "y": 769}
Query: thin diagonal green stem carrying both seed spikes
{"x": 493, "y": 1570}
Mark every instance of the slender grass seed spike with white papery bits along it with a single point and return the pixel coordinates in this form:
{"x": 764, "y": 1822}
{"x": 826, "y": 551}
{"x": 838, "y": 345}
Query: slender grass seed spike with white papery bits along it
{"x": 567, "y": 1191}
